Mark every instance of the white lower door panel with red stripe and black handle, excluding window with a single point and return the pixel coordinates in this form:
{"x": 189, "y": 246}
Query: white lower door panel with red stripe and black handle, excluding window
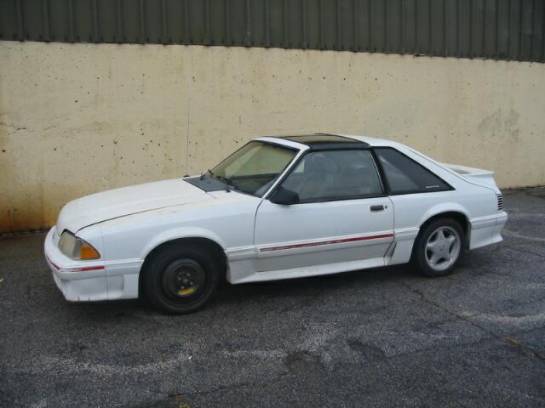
{"x": 301, "y": 235}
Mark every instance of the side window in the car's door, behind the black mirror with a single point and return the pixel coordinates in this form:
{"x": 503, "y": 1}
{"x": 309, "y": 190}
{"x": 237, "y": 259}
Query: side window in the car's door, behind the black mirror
{"x": 335, "y": 175}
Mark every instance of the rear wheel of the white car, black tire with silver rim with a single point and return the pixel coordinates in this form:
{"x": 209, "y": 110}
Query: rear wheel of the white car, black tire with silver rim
{"x": 423, "y": 254}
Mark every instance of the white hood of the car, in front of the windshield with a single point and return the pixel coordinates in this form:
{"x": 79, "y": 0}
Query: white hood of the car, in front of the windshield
{"x": 111, "y": 204}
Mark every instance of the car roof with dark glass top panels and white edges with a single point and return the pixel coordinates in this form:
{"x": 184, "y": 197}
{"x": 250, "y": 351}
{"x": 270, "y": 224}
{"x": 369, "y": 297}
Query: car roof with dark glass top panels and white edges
{"x": 323, "y": 141}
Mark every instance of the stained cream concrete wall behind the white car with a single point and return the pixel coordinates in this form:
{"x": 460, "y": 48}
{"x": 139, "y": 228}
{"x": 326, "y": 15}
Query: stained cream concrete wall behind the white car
{"x": 76, "y": 119}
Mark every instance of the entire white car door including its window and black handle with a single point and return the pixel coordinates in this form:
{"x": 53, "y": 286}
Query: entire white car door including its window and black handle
{"x": 342, "y": 214}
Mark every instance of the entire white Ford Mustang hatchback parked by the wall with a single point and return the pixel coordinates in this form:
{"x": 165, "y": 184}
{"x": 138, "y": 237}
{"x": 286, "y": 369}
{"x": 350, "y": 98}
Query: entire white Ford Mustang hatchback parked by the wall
{"x": 277, "y": 208}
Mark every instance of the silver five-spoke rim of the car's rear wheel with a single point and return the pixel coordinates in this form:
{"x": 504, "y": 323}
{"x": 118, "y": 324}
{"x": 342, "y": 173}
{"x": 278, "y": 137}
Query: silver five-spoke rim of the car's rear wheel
{"x": 442, "y": 248}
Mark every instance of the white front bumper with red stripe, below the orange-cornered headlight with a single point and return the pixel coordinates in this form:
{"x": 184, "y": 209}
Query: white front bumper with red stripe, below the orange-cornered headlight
{"x": 90, "y": 280}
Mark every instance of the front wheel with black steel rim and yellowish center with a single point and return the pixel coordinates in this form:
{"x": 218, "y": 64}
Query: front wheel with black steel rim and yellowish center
{"x": 162, "y": 272}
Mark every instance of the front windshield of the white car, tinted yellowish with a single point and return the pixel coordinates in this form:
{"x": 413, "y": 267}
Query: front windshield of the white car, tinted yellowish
{"x": 254, "y": 167}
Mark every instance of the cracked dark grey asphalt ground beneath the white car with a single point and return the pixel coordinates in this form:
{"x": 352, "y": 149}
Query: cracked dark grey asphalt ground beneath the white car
{"x": 382, "y": 337}
